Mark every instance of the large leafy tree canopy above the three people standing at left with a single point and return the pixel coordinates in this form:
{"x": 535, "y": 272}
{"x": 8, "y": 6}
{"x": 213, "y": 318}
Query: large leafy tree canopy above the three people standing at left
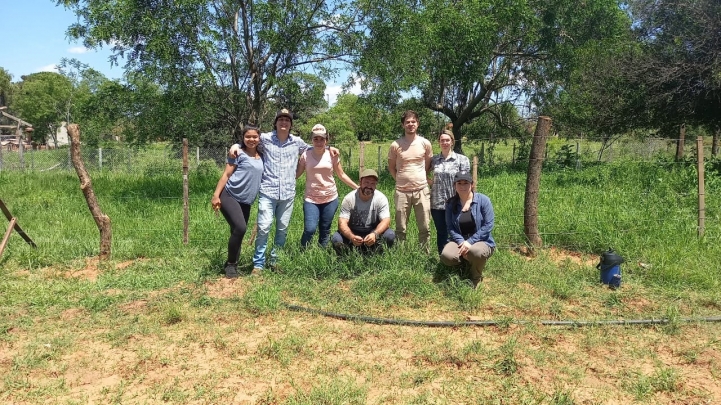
{"x": 240, "y": 50}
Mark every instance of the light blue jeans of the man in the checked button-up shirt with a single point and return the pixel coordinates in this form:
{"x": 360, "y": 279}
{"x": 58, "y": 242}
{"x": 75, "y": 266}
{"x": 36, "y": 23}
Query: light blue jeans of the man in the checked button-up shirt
{"x": 269, "y": 208}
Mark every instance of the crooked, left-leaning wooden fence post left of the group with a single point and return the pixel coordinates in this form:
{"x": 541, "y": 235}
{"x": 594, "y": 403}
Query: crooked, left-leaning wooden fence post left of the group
{"x": 101, "y": 220}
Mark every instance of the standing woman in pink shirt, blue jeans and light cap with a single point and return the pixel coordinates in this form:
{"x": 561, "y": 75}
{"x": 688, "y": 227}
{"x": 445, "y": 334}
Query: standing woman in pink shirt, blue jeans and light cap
{"x": 321, "y": 193}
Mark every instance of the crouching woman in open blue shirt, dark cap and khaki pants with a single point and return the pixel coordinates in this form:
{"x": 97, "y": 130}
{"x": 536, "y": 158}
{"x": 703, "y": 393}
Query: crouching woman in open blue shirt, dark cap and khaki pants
{"x": 469, "y": 217}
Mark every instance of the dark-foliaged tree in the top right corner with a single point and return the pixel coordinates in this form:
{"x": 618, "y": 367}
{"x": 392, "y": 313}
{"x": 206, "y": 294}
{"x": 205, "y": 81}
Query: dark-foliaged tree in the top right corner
{"x": 680, "y": 63}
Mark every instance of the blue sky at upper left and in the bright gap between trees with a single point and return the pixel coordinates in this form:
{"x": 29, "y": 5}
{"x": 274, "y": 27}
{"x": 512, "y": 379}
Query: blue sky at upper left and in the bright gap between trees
{"x": 34, "y": 40}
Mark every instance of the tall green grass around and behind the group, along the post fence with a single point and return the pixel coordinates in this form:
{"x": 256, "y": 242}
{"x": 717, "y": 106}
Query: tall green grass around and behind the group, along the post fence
{"x": 644, "y": 210}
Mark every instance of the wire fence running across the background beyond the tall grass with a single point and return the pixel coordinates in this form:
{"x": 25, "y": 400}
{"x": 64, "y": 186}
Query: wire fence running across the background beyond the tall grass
{"x": 167, "y": 158}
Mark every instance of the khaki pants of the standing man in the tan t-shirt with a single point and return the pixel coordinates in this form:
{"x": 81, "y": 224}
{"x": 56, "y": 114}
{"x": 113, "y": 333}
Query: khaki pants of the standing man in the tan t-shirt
{"x": 420, "y": 201}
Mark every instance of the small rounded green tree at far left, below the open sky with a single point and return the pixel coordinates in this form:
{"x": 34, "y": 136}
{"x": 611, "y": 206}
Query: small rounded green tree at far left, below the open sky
{"x": 43, "y": 100}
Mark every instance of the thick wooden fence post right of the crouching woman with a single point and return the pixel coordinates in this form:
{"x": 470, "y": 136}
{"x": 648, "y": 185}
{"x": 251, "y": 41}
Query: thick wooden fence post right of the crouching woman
{"x": 533, "y": 182}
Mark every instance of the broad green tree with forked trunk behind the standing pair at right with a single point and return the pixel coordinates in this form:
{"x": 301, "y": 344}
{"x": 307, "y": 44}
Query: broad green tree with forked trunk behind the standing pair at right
{"x": 470, "y": 58}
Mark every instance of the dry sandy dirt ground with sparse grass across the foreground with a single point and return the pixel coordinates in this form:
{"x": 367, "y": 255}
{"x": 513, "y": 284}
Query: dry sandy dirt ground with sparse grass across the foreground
{"x": 234, "y": 357}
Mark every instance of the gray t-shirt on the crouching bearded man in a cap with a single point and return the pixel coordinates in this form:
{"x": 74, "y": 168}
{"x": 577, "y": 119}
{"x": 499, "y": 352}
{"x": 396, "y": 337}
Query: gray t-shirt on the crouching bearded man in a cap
{"x": 364, "y": 216}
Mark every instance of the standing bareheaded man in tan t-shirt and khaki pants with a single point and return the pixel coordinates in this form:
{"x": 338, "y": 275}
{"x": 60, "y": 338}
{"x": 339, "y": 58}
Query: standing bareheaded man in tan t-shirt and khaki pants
{"x": 409, "y": 160}
